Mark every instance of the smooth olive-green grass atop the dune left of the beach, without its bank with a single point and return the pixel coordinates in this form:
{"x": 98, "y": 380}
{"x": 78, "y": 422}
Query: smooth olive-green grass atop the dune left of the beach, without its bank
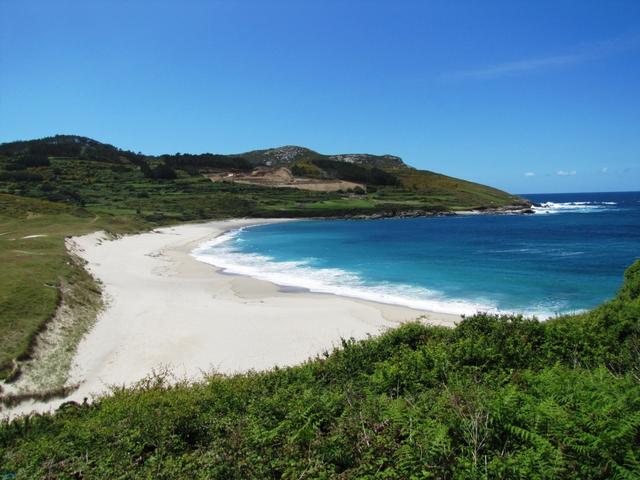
{"x": 33, "y": 268}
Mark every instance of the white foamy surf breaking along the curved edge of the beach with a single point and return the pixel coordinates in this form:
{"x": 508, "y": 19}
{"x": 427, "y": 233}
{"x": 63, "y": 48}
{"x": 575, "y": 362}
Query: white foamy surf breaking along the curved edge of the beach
{"x": 223, "y": 253}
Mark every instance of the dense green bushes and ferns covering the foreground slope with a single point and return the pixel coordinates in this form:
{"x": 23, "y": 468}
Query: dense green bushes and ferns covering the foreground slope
{"x": 496, "y": 397}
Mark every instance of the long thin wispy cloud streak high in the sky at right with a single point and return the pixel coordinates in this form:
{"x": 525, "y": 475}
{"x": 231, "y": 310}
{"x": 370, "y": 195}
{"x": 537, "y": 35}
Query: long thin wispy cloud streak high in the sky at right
{"x": 584, "y": 53}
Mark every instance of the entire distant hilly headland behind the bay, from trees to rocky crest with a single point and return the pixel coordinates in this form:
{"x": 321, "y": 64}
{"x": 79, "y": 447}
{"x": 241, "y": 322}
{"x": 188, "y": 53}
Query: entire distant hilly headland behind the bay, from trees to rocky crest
{"x": 102, "y": 178}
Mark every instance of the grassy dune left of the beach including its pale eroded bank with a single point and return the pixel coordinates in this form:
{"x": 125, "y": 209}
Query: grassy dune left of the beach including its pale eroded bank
{"x": 39, "y": 276}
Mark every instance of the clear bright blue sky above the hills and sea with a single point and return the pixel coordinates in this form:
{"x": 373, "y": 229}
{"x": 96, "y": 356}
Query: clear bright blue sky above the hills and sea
{"x": 527, "y": 96}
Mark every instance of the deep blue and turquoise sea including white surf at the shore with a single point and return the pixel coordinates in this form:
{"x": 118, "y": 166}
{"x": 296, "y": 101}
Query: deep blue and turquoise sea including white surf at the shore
{"x": 567, "y": 257}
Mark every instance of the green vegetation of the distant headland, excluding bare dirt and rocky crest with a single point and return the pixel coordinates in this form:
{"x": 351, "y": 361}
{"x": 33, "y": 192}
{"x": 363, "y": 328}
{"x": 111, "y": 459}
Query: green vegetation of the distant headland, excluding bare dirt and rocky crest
{"x": 103, "y": 177}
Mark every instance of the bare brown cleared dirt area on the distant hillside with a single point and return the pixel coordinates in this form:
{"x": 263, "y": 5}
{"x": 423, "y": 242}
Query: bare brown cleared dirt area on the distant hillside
{"x": 283, "y": 178}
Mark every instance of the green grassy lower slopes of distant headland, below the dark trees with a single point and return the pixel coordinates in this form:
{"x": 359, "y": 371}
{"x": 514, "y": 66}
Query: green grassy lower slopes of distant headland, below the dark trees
{"x": 118, "y": 187}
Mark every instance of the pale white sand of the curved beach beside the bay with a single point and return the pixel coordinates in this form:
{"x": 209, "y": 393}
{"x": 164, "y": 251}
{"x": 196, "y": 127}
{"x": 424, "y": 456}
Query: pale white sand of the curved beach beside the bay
{"x": 165, "y": 309}
